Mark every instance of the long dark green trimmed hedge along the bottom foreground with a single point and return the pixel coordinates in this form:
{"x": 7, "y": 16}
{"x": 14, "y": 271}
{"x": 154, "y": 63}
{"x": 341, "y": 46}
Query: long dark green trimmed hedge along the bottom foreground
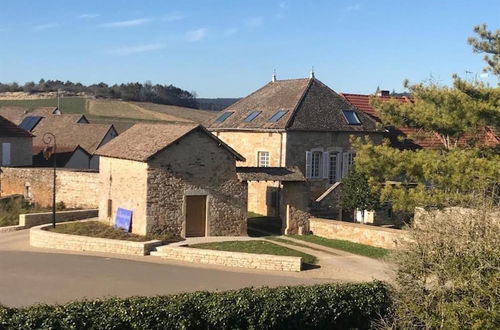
{"x": 329, "y": 306}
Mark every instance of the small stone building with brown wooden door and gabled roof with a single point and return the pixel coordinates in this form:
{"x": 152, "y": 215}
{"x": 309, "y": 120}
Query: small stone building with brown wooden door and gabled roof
{"x": 176, "y": 179}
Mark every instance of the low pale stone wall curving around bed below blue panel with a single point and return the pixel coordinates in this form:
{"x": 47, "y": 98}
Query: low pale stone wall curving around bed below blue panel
{"x": 46, "y": 239}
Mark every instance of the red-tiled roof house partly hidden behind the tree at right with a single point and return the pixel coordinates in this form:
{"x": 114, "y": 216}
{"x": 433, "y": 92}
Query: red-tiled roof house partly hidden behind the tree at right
{"x": 413, "y": 138}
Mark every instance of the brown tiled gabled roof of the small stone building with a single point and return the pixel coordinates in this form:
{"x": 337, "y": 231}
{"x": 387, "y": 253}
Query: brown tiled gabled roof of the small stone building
{"x": 142, "y": 141}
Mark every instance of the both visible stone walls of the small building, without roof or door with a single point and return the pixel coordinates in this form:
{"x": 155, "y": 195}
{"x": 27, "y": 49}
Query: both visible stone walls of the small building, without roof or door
{"x": 156, "y": 191}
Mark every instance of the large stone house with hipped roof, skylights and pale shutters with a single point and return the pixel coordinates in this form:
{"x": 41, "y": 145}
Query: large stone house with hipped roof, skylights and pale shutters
{"x": 294, "y": 123}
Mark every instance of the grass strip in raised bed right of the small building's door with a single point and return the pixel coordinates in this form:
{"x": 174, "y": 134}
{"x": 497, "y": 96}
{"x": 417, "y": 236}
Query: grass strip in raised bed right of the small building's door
{"x": 258, "y": 247}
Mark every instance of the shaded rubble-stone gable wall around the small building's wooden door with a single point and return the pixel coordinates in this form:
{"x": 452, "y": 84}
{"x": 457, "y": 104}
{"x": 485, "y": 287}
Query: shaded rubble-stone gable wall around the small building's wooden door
{"x": 197, "y": 165}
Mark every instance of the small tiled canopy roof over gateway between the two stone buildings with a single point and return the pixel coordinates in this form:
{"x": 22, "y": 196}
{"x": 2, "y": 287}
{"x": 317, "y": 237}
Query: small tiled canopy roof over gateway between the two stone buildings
{"x": 269, "y": 174}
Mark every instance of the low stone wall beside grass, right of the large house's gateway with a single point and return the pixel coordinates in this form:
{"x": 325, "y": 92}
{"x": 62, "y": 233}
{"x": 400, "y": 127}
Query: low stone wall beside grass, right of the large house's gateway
{"x": 358, "y": 233}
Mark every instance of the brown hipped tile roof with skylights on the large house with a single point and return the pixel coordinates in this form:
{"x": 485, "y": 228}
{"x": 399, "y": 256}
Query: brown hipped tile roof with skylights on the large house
{"x": 308, "y": 104}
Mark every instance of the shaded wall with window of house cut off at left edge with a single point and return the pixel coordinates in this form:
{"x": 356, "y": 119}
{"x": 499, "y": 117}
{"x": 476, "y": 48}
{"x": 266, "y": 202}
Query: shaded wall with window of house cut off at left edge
{"x": 20, "y": 151}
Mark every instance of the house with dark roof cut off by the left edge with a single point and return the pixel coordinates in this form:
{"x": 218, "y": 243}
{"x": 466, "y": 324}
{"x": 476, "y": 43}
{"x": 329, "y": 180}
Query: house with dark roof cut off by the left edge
{"x": 15, "y": 144}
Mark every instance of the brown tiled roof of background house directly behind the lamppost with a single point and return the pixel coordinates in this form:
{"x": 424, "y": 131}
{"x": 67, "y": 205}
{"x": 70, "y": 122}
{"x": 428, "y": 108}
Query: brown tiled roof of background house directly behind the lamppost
{"x": 71, "y": 134}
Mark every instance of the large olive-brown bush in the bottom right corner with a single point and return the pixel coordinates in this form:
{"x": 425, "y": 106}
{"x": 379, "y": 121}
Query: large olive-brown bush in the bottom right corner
{"x": 448, "y": 271}
